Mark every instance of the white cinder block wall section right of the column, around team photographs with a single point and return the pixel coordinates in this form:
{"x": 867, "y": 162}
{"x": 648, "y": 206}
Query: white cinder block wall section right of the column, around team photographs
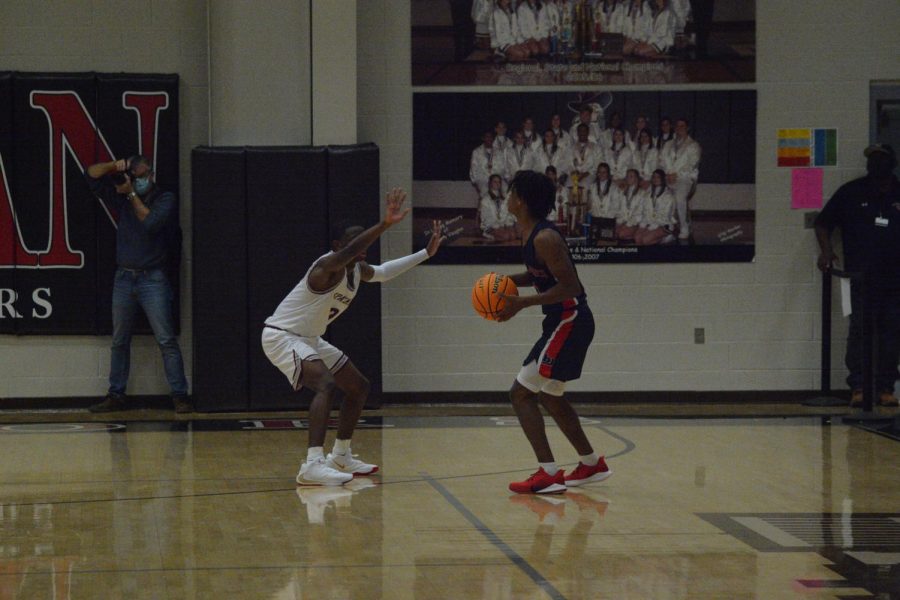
{"x": 761, "y": 319}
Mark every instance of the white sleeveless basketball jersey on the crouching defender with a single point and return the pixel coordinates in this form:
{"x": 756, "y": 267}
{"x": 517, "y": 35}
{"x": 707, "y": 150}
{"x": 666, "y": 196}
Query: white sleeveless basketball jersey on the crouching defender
{"x": 307, "y": 313}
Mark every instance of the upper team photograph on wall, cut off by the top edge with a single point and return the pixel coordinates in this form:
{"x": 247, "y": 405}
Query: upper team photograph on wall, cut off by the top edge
{"x": 582, "y": 42}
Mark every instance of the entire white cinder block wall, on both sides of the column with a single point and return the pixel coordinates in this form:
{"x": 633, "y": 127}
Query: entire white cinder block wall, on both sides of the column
{"x": 814, "y": 64}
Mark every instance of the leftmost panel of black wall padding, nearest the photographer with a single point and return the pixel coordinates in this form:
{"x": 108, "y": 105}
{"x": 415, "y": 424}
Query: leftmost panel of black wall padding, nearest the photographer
{"x": 219, "y": 275}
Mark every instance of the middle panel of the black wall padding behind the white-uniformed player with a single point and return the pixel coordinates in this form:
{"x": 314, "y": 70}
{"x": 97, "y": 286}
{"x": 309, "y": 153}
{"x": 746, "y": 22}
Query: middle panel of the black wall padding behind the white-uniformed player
{"x": 286, "y": 231}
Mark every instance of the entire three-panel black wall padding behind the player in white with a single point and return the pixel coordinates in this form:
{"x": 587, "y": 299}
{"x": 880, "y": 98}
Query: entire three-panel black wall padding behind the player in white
{"x": 261, "y": 217}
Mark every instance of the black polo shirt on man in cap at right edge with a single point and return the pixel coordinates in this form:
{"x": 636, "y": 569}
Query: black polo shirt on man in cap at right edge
{"x": 860, "y": 211}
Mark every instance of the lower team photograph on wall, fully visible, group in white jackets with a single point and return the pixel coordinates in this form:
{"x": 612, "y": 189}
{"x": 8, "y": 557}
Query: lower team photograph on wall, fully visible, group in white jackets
{"x": 647, "y": 176}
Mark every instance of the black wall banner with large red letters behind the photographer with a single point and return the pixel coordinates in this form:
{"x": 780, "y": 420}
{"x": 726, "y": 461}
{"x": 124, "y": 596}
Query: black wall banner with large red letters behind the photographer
{"x": 57, "y": 240}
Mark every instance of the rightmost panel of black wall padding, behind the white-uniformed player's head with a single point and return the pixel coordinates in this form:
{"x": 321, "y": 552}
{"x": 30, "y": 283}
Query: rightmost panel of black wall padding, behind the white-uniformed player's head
{"x": 353, "y": 195}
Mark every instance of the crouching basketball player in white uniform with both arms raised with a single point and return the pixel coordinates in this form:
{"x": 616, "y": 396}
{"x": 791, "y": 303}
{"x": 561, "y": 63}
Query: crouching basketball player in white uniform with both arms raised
{"x": 292, "y": 339}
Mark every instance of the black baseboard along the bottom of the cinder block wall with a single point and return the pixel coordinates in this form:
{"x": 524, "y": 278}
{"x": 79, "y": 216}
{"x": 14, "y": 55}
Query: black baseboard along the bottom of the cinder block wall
{"x": 482, "y": 398}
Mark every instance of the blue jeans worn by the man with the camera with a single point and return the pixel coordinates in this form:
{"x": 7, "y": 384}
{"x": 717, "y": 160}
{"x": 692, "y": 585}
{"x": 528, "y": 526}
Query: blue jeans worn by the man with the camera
{"x": 151, "y": 291}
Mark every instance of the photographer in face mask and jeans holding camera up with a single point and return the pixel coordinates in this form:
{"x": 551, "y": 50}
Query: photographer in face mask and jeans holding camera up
{"x": 147, "y": 218}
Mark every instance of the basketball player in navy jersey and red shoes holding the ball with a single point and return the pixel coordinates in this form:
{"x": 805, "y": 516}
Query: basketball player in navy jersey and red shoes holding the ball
{"x": 558, "y": 355}
